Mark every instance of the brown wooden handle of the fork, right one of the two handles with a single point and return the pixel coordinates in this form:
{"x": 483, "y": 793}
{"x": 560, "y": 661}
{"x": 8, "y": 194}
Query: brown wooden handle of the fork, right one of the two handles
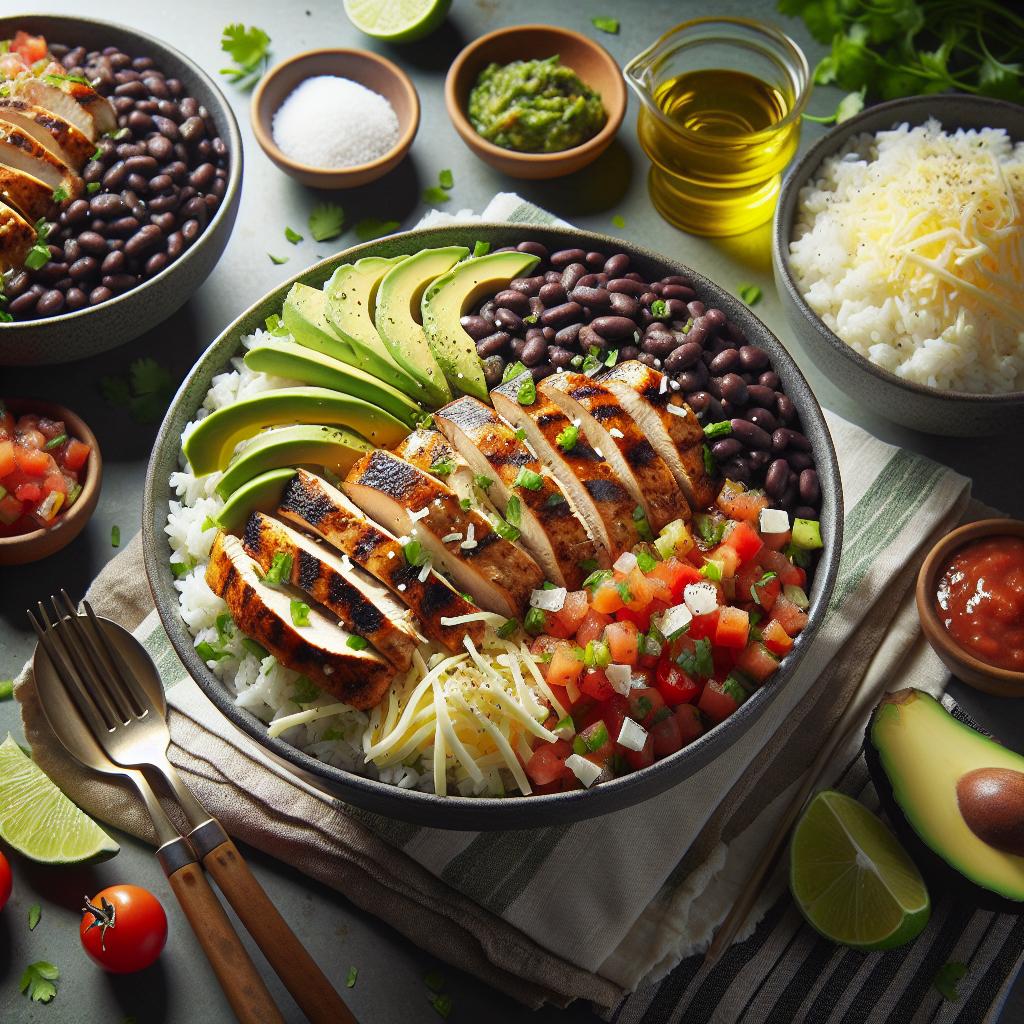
{"x": 288, "y": 957}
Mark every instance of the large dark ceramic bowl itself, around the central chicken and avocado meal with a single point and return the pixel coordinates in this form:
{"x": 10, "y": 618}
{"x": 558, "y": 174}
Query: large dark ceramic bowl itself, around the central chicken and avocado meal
{"x": 485, "y": 814}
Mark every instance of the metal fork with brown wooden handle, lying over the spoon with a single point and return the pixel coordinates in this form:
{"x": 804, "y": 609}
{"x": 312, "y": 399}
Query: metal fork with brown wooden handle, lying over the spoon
{"x": 131, "y": 728}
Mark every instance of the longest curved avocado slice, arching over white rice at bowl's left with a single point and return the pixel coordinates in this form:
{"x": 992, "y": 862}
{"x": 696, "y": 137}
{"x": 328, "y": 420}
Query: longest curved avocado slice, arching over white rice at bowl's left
{"x": 210, "y": 446}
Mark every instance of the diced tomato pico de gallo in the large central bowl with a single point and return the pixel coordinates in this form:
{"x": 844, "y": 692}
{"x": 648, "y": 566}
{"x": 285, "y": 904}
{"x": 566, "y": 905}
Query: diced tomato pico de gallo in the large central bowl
{"x": 671, "y": 641}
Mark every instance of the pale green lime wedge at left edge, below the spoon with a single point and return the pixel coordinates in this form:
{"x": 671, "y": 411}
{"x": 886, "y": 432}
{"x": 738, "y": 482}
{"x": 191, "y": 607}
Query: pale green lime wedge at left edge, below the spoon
{"x": 37, "y": 820}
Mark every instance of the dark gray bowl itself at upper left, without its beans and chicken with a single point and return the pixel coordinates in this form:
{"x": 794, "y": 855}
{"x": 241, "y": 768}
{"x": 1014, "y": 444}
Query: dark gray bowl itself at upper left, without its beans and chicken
{"x": 98, "y": 329}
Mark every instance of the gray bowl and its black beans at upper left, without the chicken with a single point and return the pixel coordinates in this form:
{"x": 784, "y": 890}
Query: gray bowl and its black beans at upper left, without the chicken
{"x": 162, "y": 194}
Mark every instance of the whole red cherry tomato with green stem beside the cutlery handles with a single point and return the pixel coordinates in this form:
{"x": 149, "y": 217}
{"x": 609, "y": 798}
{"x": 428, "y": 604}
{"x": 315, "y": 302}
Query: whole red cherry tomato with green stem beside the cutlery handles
{"x": 123, "y": 929}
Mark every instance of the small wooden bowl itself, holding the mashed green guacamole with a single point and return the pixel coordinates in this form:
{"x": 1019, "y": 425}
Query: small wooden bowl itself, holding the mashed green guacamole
{"x": 590, "y": 61}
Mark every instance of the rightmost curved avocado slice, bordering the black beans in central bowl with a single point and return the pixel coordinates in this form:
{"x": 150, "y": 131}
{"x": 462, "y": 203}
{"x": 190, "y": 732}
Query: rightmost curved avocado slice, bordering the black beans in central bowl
{"x": 449, "y": 298}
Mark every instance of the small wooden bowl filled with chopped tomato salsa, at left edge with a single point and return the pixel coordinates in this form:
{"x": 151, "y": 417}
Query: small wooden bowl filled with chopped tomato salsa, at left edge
{"x": 51, "y": 470}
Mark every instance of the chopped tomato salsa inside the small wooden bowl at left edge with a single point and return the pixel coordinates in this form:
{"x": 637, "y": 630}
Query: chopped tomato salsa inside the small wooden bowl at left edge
{"x": 42, "y": 468}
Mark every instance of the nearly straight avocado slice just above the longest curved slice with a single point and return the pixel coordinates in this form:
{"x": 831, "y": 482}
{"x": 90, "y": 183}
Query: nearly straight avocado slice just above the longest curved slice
{"x": 288, "y": 360}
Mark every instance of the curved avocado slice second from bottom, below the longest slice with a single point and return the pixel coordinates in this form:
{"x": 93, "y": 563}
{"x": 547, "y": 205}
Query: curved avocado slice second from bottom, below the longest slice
{"x": 305, "y": 445}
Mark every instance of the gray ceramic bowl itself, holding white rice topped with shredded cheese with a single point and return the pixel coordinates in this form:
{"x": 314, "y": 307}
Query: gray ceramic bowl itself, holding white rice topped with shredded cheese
{"x": 918, "y": 109}
